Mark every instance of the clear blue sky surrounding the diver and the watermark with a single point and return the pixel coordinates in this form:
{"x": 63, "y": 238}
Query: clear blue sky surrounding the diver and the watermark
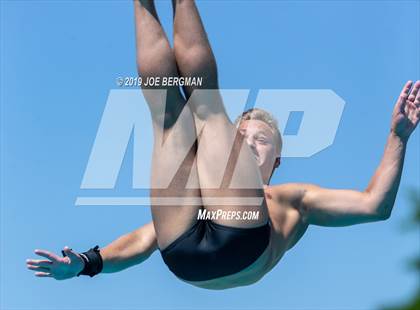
{"x": 60, "y": 59}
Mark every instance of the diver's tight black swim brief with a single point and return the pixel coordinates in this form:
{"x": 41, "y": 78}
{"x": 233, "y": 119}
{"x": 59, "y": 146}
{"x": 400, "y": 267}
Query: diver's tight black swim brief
{"x": 208, "y": 250}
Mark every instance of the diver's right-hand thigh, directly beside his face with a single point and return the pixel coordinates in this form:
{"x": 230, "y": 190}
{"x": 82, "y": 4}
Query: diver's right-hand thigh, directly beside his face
{"x": 230, "y": 180}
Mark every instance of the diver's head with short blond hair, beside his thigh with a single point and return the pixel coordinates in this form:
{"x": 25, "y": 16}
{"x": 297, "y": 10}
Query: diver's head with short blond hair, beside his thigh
{"x": 261, "y": 133}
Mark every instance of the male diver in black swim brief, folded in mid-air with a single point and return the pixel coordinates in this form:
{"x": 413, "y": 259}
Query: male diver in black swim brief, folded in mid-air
{"x": 222, "y": 253}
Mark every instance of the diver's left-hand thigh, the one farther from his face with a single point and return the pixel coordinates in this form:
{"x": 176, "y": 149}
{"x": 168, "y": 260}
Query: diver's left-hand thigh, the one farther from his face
{"x": 175, "y": 193}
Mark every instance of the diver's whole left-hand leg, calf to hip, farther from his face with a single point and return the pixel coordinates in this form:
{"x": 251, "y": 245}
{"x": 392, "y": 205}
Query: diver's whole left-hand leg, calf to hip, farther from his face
{"x": 174, "y": 129}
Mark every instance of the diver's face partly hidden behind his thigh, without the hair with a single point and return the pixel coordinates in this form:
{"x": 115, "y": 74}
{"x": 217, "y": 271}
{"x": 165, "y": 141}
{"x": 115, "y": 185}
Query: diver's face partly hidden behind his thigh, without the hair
{"x": 261, "y": 140}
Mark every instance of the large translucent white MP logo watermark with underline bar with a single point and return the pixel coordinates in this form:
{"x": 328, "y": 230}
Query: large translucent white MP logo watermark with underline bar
{"x": 127, "y": 117}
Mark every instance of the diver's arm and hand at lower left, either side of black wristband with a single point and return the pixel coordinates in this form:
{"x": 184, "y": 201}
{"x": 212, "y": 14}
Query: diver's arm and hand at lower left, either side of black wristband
{"x": 128, "y": 250}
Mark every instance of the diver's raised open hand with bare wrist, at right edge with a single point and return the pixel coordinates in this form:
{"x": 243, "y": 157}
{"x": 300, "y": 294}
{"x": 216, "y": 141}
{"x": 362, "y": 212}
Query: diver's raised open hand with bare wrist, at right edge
{"x": 406, "y": 111}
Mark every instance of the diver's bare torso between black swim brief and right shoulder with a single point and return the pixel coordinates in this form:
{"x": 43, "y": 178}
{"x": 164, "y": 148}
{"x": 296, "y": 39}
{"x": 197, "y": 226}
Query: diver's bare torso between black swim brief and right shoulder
{"x": 287, "y": 227}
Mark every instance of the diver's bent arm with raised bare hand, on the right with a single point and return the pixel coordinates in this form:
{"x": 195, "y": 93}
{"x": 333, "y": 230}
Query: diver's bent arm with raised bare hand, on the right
{"x": 332, "y": 207}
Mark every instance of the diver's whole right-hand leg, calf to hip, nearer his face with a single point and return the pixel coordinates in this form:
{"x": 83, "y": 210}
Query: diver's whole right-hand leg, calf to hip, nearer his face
{"x": 217, "y": 165}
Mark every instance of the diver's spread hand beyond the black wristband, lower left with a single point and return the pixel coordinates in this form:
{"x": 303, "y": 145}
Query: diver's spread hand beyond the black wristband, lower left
{"x": 59, "y": 268}
